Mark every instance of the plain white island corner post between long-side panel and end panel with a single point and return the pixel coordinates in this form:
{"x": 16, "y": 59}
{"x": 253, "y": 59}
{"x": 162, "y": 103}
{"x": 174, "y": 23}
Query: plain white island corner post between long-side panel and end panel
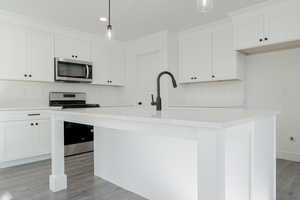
{"x": 211, "y": 154}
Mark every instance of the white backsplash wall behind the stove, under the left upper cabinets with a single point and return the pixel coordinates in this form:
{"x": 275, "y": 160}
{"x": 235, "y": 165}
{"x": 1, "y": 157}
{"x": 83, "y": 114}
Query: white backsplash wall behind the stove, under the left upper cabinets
{"x": 19, "y": 93}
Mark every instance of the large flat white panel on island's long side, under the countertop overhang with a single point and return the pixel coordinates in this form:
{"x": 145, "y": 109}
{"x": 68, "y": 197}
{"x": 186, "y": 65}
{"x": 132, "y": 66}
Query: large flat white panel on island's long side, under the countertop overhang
{"x": 156, "y": 167}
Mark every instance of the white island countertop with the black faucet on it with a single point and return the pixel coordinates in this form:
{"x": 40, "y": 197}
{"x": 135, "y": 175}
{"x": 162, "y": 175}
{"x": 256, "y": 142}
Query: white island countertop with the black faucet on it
{"x": 202, "y": 117}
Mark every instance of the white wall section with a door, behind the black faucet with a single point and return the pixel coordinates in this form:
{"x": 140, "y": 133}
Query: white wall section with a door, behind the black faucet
{"x": 138, "y": 51}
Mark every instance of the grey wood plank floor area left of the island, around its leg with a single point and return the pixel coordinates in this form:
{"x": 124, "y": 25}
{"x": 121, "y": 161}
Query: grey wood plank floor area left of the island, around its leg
{"x": 30, "y": 182}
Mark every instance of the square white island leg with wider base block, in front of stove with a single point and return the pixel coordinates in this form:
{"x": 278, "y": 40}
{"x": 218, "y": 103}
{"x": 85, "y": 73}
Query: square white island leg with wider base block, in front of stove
{"x": 58, "y": 179}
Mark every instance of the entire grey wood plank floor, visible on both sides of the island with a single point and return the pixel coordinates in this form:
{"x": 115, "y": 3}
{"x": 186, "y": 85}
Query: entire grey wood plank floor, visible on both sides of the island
{"x": 30, "y": 182}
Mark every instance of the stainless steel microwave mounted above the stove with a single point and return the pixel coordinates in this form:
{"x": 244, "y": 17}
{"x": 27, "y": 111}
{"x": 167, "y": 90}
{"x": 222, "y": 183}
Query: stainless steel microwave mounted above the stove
{"x": 73, "y": 70}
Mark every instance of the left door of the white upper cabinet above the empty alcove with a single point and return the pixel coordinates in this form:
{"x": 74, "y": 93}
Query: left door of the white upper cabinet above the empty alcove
{"x": 248, "y": 32}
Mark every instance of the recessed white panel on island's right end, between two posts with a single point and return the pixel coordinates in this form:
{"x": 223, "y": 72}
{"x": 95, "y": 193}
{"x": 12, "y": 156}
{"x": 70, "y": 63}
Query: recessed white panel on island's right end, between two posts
{"x": 238, "y": 162}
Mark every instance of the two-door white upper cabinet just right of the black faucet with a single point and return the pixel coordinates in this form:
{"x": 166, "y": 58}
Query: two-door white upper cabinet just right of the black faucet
{"x": 208, "y": 55}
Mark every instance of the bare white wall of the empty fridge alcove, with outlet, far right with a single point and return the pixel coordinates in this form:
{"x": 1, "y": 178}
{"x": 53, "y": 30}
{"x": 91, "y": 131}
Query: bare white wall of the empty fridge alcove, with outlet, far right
{"x": 273, "y": 83}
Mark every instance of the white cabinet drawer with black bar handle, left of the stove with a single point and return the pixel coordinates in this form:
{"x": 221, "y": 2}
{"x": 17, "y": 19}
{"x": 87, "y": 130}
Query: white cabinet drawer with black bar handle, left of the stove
{"x": 23, "y": 115}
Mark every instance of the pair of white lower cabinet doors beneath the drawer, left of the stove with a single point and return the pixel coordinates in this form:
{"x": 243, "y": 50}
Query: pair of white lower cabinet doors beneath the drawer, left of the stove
{"x": 24, "y": 139}
